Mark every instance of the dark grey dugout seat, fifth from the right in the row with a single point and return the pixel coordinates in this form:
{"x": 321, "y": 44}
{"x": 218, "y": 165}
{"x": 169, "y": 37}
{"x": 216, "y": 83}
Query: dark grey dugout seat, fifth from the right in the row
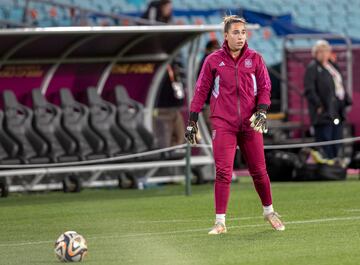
{"x": 18, "y": 123}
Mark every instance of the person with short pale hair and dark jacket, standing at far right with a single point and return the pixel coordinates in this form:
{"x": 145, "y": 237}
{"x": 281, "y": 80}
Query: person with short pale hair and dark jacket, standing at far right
{"x": 327, "y": 97}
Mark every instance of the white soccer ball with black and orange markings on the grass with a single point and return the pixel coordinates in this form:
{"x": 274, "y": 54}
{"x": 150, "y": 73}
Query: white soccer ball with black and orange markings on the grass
{"x": 70, "y": 246}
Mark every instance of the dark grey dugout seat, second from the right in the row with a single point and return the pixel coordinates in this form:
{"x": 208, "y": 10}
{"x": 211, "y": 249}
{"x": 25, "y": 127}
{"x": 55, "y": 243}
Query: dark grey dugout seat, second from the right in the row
{"x": 103, "y": 120}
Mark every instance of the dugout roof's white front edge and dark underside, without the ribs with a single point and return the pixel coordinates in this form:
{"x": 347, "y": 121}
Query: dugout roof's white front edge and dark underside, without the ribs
{"x": 49, "y": 44}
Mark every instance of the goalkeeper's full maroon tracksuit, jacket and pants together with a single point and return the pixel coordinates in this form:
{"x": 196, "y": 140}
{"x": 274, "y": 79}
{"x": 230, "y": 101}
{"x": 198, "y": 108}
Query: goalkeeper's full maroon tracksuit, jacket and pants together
{"x": 238, "y": 86}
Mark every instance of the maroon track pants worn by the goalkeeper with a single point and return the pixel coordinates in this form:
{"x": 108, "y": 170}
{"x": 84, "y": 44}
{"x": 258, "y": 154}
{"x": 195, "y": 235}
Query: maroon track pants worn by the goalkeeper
{"x": 252, "y": 148}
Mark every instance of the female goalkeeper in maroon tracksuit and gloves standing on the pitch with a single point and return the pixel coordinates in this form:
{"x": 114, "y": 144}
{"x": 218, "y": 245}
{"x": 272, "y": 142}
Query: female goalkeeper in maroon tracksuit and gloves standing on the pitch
{"x": 240, "y": 85}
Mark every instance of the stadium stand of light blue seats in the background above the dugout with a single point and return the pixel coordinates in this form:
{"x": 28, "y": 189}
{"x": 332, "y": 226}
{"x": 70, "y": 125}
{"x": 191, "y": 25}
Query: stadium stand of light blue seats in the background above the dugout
{"x": 327, "y": 17}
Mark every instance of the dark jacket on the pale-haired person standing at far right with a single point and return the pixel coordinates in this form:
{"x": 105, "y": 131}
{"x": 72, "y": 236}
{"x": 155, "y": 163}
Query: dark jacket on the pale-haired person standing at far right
{"x": 320, "y": 92}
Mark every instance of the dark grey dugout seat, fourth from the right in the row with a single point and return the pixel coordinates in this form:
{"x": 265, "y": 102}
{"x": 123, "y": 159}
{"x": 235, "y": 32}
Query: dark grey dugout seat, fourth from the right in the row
{"x": 47, "y": 121}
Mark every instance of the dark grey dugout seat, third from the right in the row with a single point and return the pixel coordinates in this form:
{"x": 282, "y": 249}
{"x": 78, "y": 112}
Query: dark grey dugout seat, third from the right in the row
{"x": 76, "y": 122}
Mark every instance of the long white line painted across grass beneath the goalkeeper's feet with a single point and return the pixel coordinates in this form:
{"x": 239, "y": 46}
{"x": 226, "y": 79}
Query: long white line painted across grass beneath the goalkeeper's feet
{"x": 311, "y": 221}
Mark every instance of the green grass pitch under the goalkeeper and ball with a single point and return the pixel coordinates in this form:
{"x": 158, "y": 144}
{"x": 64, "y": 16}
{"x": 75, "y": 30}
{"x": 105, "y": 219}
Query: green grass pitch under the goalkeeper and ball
{"x": 162, "y": 226}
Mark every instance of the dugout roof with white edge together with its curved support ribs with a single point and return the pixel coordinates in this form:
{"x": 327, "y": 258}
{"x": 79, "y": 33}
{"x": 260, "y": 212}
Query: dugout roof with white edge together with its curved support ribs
{"x": 109, "y": 45}
